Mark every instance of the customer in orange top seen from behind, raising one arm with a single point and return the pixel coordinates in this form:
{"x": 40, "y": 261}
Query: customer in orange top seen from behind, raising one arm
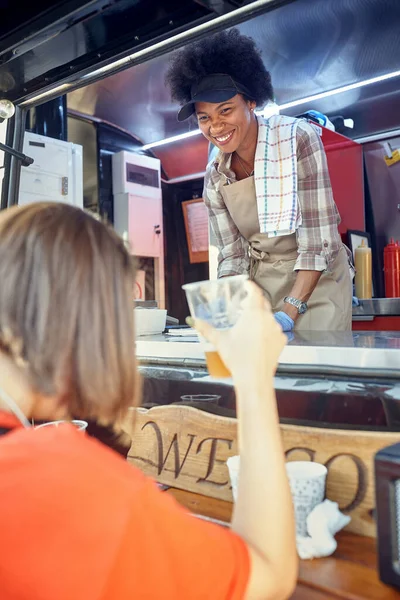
{"x": 77, "y": 521}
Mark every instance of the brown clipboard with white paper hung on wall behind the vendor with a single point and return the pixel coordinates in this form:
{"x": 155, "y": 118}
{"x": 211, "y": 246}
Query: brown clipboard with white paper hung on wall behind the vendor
{"x": 195, "y": 215}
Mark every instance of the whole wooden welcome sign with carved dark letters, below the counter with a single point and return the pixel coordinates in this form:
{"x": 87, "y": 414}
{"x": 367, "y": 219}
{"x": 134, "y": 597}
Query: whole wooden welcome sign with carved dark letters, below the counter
{"x": 186, "y": 448}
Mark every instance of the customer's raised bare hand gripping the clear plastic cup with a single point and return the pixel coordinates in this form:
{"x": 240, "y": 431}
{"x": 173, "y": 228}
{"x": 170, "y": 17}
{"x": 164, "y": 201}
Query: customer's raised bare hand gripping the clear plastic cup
{"x": 254, "y": 344}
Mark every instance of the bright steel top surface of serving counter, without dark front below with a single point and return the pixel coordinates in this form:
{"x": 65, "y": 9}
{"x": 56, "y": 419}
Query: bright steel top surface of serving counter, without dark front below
{"x": 369, "y": 353}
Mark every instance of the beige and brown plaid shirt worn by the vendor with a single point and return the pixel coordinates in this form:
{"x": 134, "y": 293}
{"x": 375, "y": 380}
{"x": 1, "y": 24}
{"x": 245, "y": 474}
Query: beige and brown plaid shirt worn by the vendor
{"x": 318, "y": 238}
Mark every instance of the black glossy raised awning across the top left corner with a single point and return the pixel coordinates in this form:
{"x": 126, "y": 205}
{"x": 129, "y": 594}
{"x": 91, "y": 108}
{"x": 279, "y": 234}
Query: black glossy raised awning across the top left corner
{"x": 49, "y": 43}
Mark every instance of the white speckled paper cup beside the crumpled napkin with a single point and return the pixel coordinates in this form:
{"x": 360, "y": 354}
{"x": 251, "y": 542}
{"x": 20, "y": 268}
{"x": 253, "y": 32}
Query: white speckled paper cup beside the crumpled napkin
{"x": 307, "y": 482}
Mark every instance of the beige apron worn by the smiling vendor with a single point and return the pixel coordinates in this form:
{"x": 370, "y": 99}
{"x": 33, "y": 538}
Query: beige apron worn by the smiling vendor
{"x": 272, "y": 261}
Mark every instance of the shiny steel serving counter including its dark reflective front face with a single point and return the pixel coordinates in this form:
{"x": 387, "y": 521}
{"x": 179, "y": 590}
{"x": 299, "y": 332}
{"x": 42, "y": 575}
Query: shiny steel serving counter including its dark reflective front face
{"x": 324, "y": 379}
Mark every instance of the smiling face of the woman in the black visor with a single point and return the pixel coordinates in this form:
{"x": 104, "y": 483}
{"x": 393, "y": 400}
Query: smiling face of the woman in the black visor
{"x": 230, "y": 125}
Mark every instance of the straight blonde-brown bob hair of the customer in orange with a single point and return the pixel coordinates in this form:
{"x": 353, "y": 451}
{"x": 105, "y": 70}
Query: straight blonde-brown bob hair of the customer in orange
{"x": 66, "y": 307}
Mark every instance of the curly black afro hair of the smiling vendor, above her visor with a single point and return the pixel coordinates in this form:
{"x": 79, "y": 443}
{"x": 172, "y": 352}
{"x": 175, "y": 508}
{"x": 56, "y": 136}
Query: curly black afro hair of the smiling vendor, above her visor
{"x": 227, "y": 52}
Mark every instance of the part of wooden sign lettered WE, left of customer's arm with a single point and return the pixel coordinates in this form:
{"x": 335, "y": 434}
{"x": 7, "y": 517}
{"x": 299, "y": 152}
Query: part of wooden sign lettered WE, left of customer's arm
{"x": 184, "y": 447}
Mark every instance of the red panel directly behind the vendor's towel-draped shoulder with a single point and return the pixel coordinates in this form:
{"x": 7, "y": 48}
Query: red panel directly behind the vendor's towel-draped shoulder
{"x": 345, "y": 163}
